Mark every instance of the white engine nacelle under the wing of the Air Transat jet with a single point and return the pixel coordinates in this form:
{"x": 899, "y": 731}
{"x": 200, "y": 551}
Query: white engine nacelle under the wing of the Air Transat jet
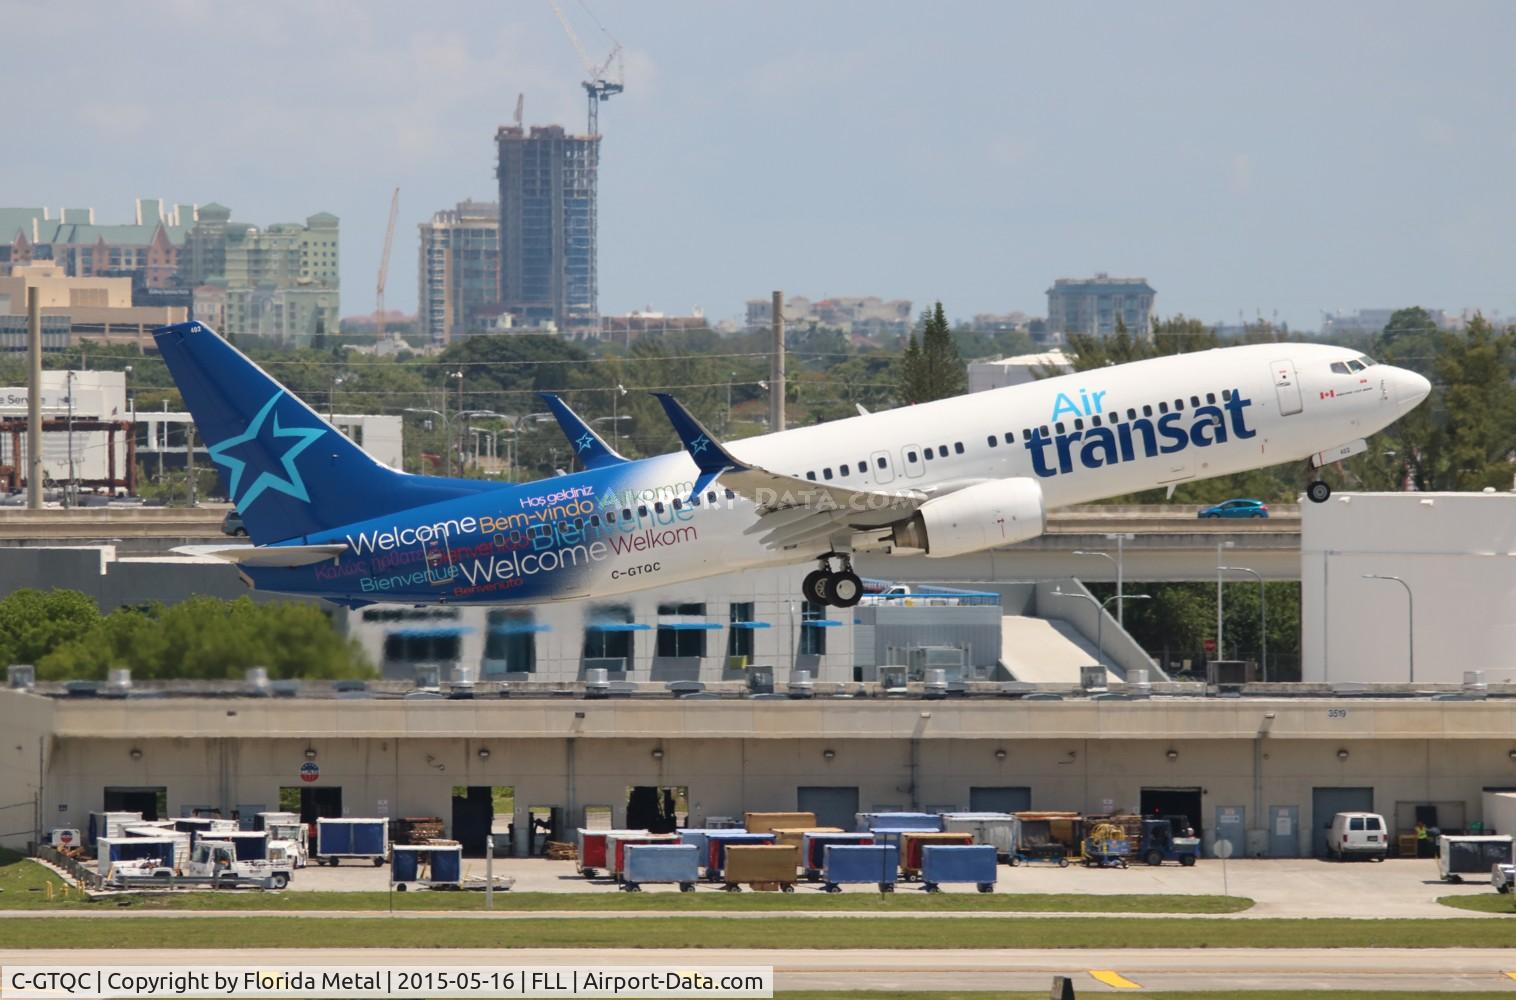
{"x": 979, "y": 517}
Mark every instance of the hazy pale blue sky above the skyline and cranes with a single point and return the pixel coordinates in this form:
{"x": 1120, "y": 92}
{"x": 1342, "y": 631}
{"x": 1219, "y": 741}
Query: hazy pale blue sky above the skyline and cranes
{"x": 1288, "y": 157}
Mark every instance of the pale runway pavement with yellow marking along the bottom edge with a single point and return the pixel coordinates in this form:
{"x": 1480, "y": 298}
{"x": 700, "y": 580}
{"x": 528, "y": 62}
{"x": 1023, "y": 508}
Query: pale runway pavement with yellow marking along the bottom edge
{"x": 1409, "y": 970}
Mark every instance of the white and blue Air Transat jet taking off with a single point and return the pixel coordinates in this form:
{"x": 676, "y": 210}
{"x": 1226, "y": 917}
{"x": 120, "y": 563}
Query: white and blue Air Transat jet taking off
{"x": 945, "y": 478}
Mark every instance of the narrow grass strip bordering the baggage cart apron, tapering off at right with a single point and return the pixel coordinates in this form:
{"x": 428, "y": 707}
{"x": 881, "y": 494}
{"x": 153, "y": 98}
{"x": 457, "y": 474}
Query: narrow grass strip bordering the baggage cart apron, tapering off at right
{"x": 610, "y": 901}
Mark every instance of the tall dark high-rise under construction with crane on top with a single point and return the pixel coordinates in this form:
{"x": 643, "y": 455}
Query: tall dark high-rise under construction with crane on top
{"x": 548, "y": 227}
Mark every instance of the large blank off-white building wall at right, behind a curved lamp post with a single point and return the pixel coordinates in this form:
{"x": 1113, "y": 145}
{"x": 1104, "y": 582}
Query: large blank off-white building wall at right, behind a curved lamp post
{"x": 1456, "y": 552}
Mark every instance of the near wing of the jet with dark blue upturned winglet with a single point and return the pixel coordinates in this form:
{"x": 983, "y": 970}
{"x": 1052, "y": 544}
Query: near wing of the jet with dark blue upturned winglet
{"x": 791, "y": 511}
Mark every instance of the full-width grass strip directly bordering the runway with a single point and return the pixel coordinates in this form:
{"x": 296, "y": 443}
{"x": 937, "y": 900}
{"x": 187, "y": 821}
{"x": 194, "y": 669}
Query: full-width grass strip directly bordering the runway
{"x": 781, "y": 933}
